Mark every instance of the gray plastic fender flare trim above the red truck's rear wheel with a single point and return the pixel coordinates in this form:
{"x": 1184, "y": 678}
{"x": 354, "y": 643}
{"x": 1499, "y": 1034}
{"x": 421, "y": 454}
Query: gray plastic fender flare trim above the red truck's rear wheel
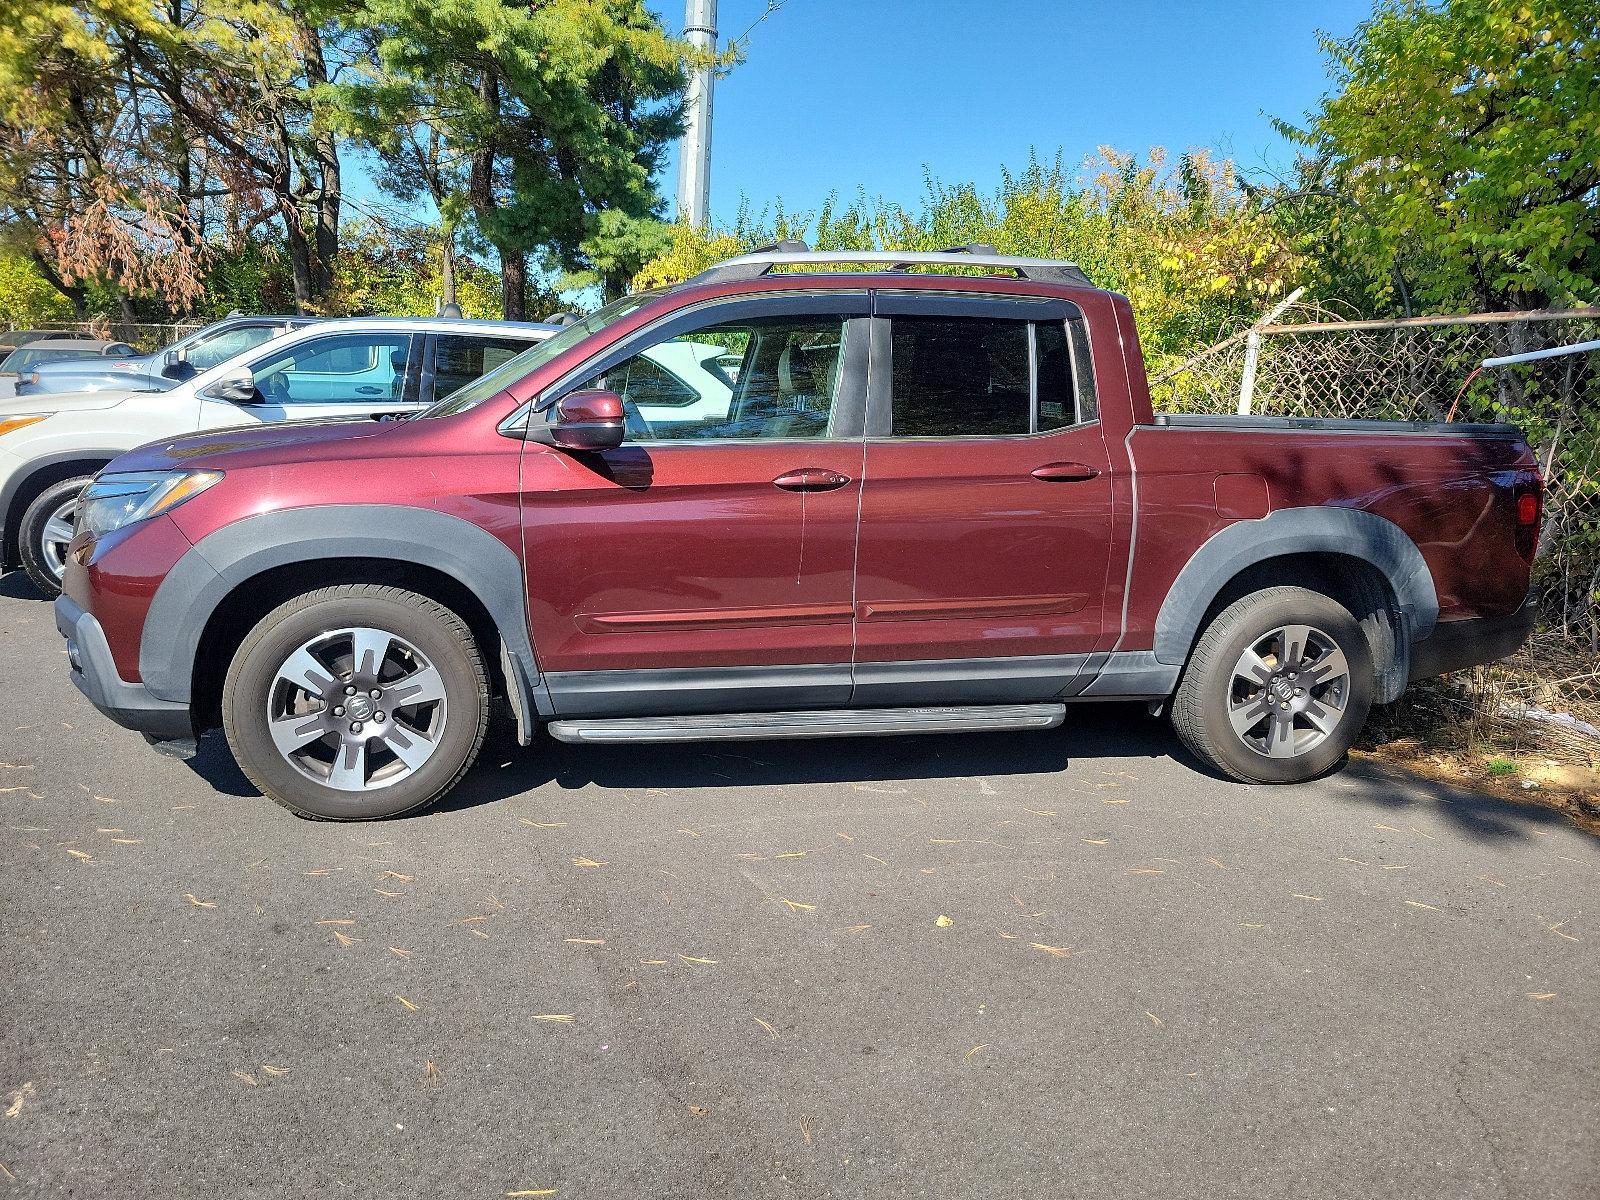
{"x": 1314, "y": 530}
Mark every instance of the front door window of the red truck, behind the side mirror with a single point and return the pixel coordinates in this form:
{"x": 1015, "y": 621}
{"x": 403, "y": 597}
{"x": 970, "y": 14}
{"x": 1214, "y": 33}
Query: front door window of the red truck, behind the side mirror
{"x": 761, "y": 378}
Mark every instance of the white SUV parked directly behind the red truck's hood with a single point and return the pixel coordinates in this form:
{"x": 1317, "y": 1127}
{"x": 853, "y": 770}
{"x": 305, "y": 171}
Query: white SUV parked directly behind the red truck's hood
{"x": 52, "y": 446}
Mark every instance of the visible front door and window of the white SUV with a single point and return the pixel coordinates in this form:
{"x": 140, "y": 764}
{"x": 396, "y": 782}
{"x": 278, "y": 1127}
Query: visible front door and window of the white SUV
{"x": 340, "y": 375}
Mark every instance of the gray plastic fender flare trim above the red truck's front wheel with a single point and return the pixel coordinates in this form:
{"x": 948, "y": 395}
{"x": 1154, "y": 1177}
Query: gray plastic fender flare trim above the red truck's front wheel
{"x": 223, "y": 561}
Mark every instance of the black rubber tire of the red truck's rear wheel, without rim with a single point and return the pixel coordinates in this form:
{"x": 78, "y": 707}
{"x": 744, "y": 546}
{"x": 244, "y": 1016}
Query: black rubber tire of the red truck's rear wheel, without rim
{"x": 1210, "y": 689}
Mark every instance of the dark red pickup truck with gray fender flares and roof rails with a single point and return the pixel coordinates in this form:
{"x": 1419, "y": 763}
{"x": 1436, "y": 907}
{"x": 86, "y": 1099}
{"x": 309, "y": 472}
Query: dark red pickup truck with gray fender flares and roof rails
{"x": 786, "y": 502}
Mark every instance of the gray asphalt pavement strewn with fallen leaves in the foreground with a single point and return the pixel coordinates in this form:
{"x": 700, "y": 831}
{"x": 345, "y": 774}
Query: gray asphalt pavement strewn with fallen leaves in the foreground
{"x": 1025, "y": 966}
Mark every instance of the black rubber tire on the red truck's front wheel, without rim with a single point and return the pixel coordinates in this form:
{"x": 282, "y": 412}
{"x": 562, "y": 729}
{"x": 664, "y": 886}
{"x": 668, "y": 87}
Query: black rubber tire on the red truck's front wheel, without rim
{"x": 439, "y": 634}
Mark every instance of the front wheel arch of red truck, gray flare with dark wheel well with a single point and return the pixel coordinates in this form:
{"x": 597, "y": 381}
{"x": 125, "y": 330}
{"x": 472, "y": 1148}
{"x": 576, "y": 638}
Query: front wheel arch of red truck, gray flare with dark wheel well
{"x": 217, "y": 593}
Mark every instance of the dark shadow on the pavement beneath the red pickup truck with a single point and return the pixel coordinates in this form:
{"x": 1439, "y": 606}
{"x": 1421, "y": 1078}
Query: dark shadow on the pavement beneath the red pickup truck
{"x": 1111, "y": 732}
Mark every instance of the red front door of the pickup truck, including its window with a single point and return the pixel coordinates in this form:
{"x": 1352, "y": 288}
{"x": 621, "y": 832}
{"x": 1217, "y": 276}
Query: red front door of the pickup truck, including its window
{"x": 706, "y": 564}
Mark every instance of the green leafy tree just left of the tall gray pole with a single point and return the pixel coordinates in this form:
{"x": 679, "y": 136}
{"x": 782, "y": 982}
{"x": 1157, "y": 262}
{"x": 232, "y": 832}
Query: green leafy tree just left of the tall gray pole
{"x": 545, "y": 122}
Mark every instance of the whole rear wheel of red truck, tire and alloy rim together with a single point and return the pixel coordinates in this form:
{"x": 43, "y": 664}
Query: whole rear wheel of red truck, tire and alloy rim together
{"x": 1276, "y": 689}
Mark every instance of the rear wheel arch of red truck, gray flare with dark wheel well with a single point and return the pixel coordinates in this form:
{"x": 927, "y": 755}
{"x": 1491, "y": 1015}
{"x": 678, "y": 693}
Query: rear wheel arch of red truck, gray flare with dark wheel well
{"x": 1366, "y": 562}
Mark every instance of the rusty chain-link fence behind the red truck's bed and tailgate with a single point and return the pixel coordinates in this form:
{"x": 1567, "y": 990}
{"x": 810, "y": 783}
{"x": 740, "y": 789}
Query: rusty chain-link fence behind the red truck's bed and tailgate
{"x": 1430, "y": 369}
